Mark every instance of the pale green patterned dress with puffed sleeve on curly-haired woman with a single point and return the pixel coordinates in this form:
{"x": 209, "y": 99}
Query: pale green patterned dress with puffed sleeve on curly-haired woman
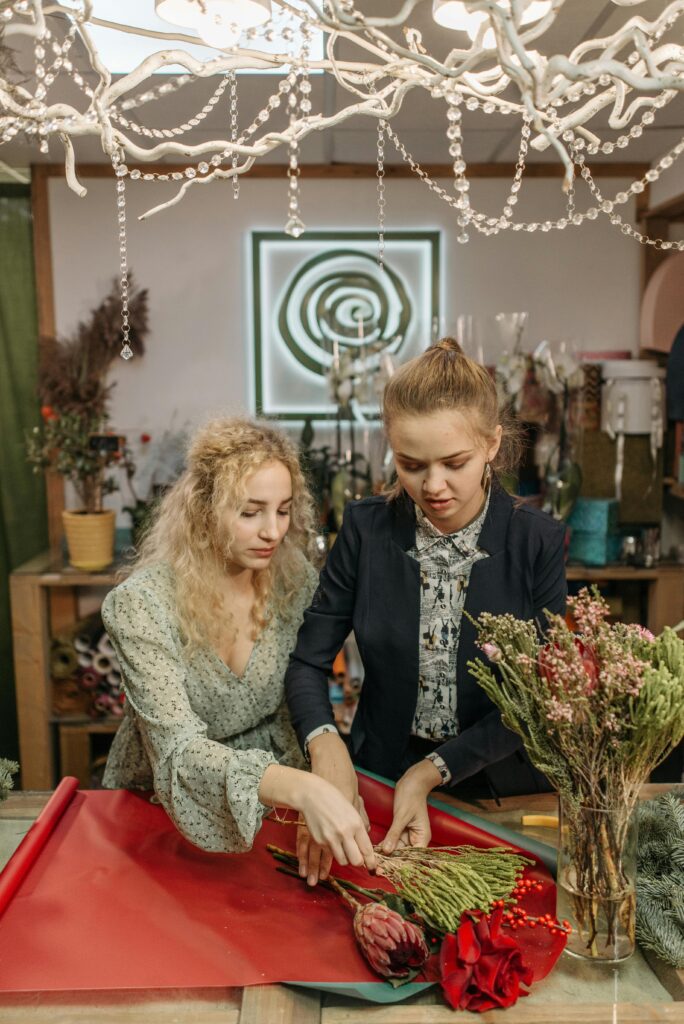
{"x": 201, "y": 737}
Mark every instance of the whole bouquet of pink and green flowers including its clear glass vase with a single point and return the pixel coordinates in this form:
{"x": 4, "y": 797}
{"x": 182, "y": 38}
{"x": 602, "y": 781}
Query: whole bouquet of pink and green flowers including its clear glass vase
{"x": 597, "y": 711}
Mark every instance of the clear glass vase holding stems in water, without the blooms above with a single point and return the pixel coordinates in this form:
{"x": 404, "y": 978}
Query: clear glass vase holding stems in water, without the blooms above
{"x": 597, "y": 868}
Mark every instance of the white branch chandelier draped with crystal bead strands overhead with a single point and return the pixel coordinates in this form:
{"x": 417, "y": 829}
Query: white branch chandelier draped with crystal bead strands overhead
{"x": 376, "y": 62}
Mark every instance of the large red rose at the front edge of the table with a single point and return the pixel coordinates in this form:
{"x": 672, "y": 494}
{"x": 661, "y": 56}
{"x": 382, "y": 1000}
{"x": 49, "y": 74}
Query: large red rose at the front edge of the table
{"x": 482, "y": 969}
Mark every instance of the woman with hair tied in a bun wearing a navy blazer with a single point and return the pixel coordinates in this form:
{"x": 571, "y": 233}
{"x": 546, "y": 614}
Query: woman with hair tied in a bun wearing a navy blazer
{"x": 406, "y": 573}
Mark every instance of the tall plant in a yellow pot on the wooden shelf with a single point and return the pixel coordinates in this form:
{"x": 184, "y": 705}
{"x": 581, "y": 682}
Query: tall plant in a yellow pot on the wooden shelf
{"x": 74, "y": 440}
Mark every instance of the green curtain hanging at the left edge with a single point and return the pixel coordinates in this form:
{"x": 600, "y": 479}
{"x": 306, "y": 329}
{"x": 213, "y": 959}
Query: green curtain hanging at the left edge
{"x": 23, "y": 514}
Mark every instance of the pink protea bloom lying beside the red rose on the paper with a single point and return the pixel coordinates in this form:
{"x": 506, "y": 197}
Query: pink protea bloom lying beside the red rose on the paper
{"x": 392, "y": 946}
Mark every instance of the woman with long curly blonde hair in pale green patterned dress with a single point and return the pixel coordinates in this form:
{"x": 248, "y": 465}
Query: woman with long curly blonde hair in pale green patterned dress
{"x": 203, "y": 630}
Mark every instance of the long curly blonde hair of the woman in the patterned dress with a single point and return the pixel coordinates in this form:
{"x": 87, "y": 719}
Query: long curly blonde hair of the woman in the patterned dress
{"x": 188, "y": 534}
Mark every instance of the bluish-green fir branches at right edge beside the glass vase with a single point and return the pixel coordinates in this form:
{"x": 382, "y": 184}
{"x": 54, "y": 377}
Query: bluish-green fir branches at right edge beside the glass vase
{"x": 661, "y": 878}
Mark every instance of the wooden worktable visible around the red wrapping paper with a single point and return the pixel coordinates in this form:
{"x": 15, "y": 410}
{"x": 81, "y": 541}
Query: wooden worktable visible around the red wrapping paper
{"x": 637, "y": 992}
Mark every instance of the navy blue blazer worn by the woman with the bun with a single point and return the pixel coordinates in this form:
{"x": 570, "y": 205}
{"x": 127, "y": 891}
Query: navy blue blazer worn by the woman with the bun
{"x": 371, "y": 585}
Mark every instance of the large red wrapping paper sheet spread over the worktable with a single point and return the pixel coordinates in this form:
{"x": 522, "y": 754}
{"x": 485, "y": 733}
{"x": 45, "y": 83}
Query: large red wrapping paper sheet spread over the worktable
{"x": 119, "y": 900}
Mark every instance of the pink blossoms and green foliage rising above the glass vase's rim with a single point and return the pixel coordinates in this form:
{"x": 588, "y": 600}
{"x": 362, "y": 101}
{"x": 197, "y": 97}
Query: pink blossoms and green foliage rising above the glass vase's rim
{"x": 596, "y": 712}
